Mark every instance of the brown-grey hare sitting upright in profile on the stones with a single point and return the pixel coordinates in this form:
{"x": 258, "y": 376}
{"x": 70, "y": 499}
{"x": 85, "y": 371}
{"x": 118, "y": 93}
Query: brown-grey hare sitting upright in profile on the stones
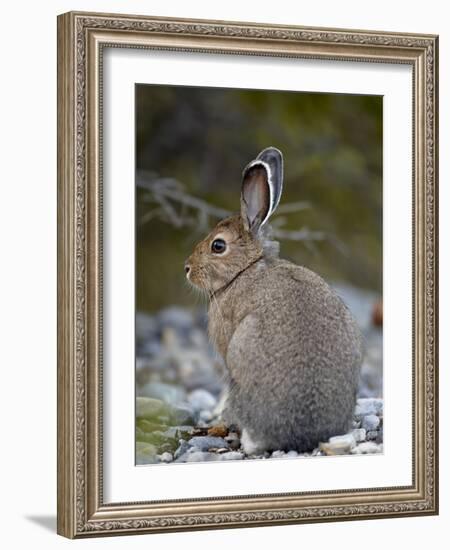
{"x": 291, "y": 348}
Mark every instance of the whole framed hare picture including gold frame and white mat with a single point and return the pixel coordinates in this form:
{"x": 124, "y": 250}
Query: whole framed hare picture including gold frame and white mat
{"x": 247, "y": 274}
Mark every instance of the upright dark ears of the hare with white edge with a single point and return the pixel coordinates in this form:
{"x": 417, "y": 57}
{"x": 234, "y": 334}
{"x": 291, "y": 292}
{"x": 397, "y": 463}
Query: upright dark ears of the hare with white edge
{"x": 262, "y": 184}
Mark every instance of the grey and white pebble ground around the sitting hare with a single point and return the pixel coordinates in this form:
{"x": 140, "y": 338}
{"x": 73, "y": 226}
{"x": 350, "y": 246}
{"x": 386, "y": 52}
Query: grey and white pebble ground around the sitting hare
{"x": 179, "y": 390}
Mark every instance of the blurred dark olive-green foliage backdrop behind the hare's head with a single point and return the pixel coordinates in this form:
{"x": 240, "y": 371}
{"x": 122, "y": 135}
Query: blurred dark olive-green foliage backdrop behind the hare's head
{"x": 198, "y": 140}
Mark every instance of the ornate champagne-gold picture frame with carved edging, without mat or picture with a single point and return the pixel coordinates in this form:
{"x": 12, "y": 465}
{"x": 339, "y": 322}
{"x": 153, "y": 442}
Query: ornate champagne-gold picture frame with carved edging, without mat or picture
{"x": 81, "y": 38}
